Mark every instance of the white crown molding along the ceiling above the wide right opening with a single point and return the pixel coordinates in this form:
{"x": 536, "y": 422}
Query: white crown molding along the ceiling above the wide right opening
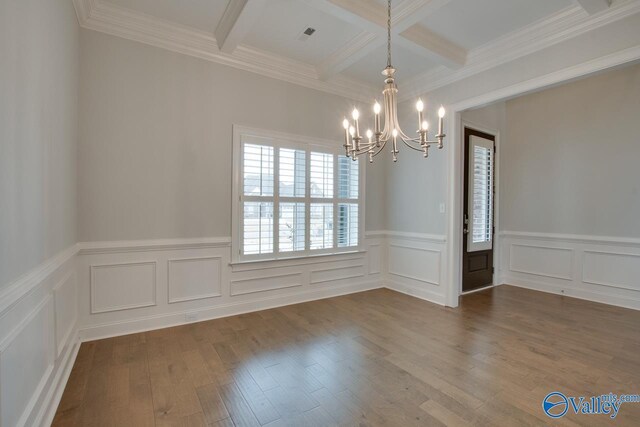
{"x": 561, "y": 26}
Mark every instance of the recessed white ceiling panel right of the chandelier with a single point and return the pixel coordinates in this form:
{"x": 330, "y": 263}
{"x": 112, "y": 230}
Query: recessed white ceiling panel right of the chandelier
{"x": 472, "y": 23}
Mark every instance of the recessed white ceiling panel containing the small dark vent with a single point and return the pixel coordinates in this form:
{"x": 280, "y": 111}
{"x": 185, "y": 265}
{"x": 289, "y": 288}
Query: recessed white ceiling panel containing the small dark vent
{"x": 283, "y": 21}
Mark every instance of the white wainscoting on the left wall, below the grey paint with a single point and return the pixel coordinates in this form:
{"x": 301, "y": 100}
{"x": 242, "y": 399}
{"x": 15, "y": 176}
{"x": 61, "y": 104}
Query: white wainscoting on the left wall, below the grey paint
{"x": 38, "y": 341}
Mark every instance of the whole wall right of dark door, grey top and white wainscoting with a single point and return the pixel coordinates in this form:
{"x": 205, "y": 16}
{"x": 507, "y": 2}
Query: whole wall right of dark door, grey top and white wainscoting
{"x": 570, "y": 185}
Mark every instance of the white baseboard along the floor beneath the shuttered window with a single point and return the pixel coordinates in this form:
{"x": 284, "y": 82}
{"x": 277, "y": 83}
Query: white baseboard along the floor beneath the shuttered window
{"x": 149, "y": 323}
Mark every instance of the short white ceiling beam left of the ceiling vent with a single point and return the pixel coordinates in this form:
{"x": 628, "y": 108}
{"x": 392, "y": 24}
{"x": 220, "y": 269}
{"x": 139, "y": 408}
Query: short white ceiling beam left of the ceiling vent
{"x": 236, "y": 22}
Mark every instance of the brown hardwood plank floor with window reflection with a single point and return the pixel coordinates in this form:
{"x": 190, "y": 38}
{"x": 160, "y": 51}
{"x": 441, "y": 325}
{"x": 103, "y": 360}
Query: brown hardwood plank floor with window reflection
{"x": 373, "y": 358}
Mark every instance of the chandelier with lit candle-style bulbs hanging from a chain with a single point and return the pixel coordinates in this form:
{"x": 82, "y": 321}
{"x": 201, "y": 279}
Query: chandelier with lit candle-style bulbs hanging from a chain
{"x": 378, "y": 138}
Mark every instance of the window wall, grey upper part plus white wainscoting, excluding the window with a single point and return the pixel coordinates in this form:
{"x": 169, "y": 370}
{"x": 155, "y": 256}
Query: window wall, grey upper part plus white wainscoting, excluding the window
{"x": 155, "y": 176}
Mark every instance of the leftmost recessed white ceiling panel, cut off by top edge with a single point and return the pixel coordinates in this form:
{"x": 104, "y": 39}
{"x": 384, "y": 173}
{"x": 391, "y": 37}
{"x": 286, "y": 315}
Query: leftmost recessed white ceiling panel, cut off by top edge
{"x": 200, "y": 14}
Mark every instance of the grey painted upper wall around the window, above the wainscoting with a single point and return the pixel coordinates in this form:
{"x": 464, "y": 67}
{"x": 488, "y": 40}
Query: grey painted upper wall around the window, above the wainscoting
{"x": 155, "y": 138}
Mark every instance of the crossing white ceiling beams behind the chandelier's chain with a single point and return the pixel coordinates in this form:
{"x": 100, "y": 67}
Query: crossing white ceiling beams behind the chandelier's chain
{"x": 371, "y": 16}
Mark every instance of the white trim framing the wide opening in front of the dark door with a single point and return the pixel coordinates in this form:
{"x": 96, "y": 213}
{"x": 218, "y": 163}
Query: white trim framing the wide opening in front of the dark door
{"x": 455, "y": 167}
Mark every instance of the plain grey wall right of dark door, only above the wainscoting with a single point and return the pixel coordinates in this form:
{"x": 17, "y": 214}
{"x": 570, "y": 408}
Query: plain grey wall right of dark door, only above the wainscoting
{"x": 570, "y": 161}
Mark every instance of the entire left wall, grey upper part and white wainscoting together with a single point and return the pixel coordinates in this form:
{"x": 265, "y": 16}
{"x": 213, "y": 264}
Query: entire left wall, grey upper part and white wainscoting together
{"x": 39, "y": 61}
